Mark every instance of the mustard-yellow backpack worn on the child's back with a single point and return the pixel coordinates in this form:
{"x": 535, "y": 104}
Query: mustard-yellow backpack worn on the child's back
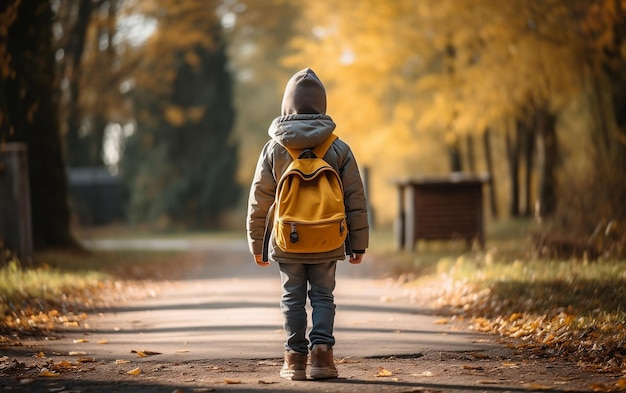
{"x": 308, "y": 212}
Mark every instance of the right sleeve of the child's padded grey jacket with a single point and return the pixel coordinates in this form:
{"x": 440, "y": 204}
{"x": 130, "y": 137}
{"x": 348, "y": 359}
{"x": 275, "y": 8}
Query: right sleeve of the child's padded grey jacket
{"x": 355, "y": 201}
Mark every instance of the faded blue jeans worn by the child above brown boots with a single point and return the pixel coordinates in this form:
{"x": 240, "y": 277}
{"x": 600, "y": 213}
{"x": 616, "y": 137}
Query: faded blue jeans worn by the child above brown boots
{"x": 319, "y": 280}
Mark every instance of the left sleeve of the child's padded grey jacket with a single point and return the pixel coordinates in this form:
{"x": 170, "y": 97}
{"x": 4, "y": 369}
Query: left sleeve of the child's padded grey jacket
{"x": 260, "y": 199}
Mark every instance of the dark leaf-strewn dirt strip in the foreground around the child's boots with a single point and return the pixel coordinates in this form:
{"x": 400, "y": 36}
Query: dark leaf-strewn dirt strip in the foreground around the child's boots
{"x": 432, "y": 372}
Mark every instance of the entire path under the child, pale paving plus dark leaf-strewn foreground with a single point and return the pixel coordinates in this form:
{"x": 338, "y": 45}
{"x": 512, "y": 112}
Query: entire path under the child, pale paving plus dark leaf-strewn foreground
{"x": 389, "y": 340}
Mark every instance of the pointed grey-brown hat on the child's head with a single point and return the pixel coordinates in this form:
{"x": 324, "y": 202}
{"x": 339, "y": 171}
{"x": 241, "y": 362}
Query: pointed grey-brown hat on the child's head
{"x": 304, "y": 94}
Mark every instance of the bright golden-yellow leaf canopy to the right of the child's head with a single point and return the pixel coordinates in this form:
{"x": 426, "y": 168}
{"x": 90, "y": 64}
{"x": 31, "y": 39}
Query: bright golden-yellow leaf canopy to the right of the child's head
{"x": 442, "y": 68}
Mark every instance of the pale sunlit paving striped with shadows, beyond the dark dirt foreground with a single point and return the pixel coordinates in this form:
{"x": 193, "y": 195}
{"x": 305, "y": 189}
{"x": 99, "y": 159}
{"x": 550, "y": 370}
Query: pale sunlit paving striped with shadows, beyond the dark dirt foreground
{"x": 229, "y": 308}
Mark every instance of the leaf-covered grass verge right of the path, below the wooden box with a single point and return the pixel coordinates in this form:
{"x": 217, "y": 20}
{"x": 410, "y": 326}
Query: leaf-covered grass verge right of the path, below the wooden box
{"x": 569, "y": 308}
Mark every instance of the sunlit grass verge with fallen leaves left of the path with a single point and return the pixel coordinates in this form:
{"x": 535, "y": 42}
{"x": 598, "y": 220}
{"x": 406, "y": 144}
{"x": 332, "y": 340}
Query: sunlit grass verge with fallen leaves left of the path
{"x": 63, "y": 284}
